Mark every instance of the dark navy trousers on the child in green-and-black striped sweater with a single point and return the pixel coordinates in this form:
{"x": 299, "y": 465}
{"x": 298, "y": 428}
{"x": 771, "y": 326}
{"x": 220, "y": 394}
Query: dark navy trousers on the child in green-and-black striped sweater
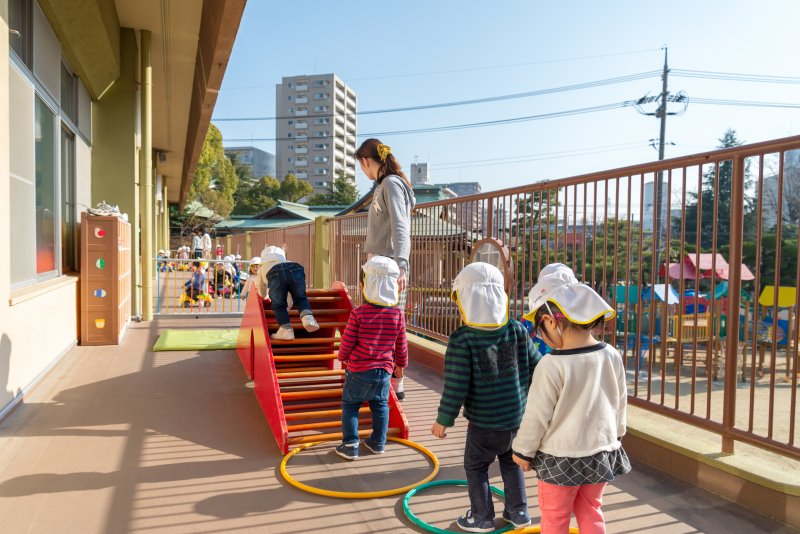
{"x": 482, "y": 447}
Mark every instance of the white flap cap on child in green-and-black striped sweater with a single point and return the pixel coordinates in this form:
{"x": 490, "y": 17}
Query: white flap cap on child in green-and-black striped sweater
{"x": 481, "y": 295}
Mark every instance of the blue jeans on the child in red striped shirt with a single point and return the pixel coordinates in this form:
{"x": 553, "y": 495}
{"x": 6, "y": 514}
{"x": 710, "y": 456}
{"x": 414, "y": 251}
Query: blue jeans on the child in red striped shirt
{"x": 369, "y": 386}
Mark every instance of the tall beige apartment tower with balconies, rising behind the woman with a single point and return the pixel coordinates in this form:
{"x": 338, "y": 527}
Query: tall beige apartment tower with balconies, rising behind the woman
{"x": 315, "y": 129}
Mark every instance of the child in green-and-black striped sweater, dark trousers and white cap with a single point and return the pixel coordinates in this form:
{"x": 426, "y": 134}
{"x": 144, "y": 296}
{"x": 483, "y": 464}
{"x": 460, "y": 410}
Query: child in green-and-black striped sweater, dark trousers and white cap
{"x": 487, "y": 369}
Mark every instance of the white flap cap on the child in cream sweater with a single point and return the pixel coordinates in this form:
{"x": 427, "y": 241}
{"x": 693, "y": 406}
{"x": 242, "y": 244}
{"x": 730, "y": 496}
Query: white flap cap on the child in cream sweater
{"x": 578, "y": 302}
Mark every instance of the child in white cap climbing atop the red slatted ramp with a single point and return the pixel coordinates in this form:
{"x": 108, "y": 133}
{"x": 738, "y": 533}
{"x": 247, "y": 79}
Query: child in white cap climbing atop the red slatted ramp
{"x": 278, "y": 278}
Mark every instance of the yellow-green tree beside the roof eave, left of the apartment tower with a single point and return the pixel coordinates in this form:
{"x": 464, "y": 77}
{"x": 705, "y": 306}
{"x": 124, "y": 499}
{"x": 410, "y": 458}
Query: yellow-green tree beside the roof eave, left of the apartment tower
{"x": 215, "y": 180}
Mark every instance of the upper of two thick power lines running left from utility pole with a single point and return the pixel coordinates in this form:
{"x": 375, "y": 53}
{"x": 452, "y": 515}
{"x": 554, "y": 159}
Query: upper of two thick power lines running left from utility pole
{"x": 513, "y": 96}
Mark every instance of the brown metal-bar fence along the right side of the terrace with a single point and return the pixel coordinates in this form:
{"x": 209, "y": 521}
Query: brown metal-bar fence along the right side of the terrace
{"x": 725, "y": 355}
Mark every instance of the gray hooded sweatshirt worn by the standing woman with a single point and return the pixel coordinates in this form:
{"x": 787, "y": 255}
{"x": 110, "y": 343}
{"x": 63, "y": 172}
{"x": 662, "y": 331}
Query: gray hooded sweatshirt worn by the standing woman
{"x": 389, "y": 220}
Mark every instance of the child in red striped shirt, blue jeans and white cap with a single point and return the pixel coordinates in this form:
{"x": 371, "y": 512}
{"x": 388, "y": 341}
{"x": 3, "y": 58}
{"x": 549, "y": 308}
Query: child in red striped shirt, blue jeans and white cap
{"x": 373, "y": 347}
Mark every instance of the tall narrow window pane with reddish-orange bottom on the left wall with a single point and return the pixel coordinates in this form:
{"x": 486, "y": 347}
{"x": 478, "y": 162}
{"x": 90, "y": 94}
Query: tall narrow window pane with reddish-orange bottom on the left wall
{"x": 45, "y": 188}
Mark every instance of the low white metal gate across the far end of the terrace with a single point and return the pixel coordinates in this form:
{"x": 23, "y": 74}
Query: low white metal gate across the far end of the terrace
{"x": 223, "y": 288}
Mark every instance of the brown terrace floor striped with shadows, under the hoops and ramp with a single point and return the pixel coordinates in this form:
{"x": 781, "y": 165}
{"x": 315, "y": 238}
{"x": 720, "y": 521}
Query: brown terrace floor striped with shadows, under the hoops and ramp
{"x": 121, "y": 439}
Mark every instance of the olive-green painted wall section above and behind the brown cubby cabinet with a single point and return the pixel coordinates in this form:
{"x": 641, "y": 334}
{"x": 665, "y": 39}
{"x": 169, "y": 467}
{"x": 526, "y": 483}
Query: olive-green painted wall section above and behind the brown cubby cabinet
{"x": 115, "y": 159}
